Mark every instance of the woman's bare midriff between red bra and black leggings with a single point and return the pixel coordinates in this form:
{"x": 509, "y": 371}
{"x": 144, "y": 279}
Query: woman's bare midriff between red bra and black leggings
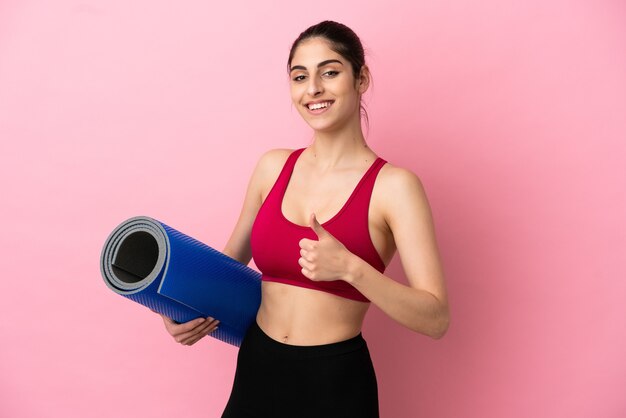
{"x": 300, "y": 316}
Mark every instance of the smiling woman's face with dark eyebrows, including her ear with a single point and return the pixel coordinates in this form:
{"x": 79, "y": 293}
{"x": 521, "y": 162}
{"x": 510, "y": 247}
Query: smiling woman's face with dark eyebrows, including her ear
{"x": 323, "y": 87}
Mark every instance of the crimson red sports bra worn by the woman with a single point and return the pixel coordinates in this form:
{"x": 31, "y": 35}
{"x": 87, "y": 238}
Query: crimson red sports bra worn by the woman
{"x": 275, "y": 240}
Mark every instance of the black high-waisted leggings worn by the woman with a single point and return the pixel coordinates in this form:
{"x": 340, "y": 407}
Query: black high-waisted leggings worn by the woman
{"x": 275, "y": 380}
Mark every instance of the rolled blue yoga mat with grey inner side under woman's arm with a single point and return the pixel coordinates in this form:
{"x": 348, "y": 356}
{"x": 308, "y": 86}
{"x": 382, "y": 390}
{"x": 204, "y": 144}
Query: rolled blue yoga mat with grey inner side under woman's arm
{"x": 169, "y": 272}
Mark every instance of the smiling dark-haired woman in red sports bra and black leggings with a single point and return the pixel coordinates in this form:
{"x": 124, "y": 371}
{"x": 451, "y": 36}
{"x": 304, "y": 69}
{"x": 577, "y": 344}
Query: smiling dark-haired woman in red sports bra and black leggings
{"x": 322, "y": 223}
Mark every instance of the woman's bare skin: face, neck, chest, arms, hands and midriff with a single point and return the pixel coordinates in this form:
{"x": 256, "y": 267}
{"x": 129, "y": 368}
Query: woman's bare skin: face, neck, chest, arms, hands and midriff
{"x": 323, "y": 178}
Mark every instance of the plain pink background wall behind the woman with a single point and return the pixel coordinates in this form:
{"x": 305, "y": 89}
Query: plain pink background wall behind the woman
{"x": 512, "y": 113}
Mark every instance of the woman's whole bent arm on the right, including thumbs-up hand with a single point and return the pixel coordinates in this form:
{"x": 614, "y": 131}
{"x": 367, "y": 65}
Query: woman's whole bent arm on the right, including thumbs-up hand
{"x": 423, "y": 305}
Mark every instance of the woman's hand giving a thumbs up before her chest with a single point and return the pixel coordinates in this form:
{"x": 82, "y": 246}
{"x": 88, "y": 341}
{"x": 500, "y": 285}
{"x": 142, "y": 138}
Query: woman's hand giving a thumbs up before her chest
{"x": 325, "y": 259}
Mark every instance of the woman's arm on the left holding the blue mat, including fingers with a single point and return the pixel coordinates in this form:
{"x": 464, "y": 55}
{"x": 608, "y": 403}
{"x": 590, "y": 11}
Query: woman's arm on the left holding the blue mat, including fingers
{"x": 238, "y": 246}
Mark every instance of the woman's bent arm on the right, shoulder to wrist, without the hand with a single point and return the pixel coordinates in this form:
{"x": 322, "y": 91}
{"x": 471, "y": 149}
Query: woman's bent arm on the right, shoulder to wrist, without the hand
{"x": 423, "y": 305}
